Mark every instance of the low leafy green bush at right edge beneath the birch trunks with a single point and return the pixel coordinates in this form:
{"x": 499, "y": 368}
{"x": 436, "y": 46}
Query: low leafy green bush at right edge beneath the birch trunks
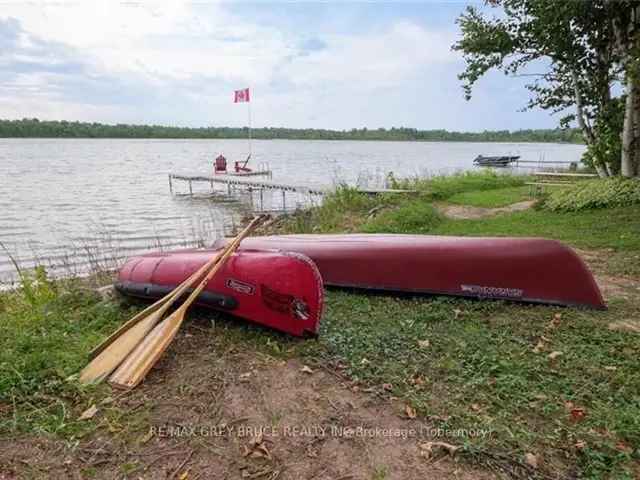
{"x": 602, "y": 193}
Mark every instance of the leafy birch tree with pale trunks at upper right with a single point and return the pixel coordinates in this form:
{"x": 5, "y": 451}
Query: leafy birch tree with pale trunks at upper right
{"x": 584, "y": 48}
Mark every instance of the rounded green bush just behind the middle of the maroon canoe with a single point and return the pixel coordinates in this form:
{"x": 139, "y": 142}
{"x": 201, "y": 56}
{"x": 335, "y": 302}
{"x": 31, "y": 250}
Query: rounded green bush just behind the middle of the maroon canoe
{"x": 415, "y": 216}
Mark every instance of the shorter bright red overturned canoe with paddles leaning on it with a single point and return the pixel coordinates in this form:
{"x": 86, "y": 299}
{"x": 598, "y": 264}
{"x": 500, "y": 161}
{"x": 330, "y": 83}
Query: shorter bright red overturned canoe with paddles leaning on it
{"x": 280, "y": 290}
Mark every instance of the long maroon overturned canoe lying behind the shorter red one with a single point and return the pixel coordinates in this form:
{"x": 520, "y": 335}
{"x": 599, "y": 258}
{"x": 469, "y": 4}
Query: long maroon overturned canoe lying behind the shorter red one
{"x": 523, "y": 269}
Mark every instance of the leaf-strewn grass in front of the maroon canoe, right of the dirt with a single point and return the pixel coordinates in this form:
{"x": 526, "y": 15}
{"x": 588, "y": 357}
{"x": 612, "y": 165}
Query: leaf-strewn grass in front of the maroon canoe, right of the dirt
{"x": 481, "y": 371}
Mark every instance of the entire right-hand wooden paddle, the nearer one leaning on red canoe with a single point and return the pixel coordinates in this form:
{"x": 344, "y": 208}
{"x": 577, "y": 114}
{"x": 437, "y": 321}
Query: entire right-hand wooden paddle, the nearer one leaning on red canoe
{"x": 136, "y": 366}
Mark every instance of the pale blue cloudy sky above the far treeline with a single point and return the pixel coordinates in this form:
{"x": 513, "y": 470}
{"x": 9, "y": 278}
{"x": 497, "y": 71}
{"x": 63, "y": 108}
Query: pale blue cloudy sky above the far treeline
{"x": 330, "y": 64}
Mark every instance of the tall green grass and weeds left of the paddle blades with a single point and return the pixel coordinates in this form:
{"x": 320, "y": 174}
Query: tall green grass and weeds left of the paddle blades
{"x": 47, "y": 329}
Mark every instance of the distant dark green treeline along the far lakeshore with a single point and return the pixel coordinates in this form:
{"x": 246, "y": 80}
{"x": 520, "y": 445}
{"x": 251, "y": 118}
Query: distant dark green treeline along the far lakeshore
{"x": 34, "y": 128}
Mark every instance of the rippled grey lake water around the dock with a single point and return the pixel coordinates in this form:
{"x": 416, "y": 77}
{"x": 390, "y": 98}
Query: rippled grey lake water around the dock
{"x": 75, "y": 203}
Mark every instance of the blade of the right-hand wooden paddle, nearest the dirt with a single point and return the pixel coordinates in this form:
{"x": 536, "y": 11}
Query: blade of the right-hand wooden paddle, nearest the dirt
{"x": 136, "y": 366}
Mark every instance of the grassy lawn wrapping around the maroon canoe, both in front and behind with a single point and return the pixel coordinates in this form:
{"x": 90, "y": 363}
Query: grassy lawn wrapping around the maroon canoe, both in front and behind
{"x": 492, "y": 364}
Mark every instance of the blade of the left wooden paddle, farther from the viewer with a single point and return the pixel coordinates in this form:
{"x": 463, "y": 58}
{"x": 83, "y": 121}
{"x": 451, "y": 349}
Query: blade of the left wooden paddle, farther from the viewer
{"x": 116, "y": 352}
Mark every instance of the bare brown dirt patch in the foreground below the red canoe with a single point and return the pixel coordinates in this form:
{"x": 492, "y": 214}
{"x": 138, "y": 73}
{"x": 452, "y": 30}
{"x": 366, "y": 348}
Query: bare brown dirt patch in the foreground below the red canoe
{"x": 200, "y": 412}
